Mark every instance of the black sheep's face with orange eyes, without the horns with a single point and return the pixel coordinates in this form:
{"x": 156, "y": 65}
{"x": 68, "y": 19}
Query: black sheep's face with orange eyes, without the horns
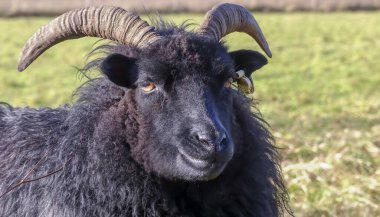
{"x": 183, "y": 104}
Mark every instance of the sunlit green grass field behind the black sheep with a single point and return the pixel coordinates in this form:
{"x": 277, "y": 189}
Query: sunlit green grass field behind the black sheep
{"x": 320, "y": 93}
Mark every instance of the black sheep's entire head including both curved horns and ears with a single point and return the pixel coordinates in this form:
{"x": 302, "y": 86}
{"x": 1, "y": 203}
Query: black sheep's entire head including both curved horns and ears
{"x": 180, "y": 82}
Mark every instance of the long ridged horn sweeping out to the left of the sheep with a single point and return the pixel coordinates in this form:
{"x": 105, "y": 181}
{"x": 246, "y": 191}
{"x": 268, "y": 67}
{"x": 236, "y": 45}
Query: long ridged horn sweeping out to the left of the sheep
{"x": 106, "y": 22}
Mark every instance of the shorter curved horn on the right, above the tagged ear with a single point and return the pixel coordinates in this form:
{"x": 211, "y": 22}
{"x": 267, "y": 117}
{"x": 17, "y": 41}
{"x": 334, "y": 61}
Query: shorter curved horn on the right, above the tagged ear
{"x": 224, "y": 19}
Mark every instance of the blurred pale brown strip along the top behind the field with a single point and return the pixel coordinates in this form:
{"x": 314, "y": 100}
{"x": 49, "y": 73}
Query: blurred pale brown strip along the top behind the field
{"x": 53, "y": 7}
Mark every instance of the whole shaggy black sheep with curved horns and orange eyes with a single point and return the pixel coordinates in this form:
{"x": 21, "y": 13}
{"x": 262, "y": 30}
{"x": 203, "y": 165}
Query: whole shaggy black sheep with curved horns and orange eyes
{"x": 162, "y": 133}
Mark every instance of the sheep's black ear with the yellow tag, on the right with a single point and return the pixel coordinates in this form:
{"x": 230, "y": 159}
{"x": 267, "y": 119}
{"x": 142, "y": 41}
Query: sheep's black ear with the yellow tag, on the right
{"x": 248, "y": 61}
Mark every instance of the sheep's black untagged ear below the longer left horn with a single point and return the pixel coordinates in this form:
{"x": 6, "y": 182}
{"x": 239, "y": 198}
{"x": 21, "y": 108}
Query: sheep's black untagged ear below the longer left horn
{"x": 120, "y": 69}
